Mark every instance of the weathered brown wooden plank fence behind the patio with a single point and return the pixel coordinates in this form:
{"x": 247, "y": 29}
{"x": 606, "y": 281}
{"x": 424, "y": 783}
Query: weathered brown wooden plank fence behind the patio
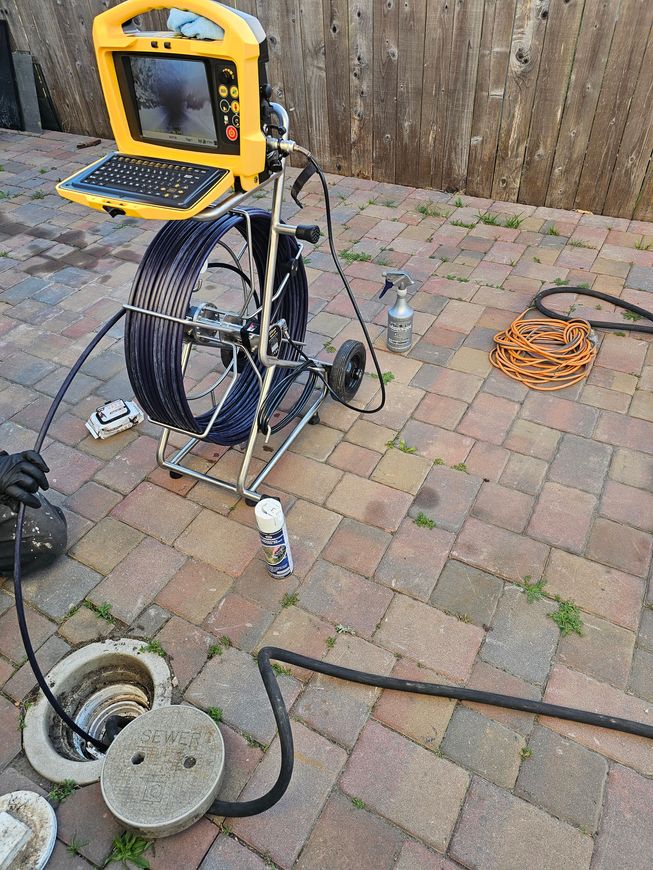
{"x": 546, "y": 102}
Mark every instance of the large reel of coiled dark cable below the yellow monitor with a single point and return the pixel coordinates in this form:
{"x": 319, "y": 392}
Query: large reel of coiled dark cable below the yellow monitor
{"x": 165, "y": 323}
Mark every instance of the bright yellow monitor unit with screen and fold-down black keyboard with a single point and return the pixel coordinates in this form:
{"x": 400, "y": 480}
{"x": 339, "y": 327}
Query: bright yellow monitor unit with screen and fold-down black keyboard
{"x": 183, "y": 112}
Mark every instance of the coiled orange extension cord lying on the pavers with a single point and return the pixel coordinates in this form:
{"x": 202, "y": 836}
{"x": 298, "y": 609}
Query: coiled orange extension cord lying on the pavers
{"x": 543, "y": 353}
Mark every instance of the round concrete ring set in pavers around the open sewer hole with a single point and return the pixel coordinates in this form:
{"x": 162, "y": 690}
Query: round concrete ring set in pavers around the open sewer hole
{"x": 100, "y": 680}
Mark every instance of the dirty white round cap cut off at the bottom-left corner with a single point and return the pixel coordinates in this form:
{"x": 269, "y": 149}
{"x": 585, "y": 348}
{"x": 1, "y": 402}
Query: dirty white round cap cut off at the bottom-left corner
{"x": 28, "y": 831}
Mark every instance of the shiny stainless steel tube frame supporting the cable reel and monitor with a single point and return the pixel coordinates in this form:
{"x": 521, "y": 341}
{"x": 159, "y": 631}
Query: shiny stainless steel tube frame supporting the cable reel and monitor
{"x": 174, "y": 463}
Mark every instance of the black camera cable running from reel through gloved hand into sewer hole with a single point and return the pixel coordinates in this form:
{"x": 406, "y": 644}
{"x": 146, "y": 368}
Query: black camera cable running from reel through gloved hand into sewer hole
{"x": 18, "y": 589}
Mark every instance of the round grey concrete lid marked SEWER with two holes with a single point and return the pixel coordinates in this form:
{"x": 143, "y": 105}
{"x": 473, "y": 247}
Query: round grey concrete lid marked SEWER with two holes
{"x": 163, "y": 771}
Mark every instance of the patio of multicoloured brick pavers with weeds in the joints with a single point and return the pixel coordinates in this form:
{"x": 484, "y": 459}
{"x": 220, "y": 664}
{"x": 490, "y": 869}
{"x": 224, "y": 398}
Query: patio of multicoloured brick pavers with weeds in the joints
{"x": 519, "y": 484}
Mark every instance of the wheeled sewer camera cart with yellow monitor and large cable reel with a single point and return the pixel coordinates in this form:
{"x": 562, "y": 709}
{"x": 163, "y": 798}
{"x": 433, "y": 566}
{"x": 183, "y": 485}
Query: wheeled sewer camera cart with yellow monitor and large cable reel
{"x": 193, "y": 124}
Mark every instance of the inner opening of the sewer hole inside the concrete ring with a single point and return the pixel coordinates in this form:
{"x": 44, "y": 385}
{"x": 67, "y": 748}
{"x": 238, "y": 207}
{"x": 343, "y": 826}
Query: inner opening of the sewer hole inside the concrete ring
{"x": 102, "y": 702}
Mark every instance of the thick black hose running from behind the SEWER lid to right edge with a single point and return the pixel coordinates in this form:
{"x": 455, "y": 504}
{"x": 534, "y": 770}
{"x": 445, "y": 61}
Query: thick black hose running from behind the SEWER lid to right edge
{"x": 238, "y": 809}
